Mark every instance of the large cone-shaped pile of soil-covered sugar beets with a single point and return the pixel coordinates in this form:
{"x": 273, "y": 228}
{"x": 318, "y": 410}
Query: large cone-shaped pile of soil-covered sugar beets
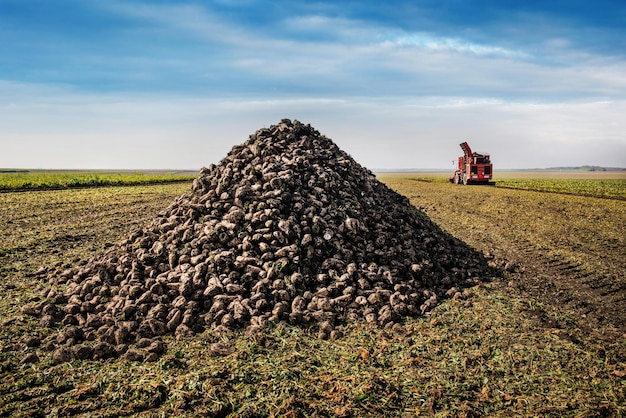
{"x": 286, "y": 229}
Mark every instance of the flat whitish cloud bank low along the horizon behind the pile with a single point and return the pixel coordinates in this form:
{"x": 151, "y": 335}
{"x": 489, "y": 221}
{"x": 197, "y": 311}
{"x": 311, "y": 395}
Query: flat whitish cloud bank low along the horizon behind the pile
{"x": 50, "y": 128}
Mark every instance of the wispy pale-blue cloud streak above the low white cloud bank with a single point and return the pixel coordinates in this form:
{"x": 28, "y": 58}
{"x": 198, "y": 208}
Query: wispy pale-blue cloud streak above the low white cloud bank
{"x": 316, "y": 53}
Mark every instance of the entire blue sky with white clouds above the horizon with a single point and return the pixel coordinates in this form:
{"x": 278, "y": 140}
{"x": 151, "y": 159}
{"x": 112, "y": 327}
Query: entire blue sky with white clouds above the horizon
{"x": 164, "y": 84}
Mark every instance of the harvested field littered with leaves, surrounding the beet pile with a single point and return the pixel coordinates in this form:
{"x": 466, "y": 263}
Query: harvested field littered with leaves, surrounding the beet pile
{"x": 547, "y": 337}
